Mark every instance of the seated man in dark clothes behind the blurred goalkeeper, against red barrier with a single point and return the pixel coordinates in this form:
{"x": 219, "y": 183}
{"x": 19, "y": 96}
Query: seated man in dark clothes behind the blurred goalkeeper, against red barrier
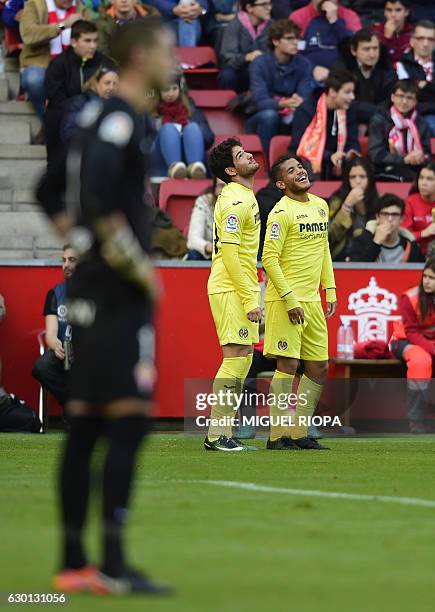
{"x": 50, "y": 368}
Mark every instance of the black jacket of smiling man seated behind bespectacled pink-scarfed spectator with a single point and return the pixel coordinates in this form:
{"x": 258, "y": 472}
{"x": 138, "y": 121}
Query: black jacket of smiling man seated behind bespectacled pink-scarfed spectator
{"x": 375, "y": 90}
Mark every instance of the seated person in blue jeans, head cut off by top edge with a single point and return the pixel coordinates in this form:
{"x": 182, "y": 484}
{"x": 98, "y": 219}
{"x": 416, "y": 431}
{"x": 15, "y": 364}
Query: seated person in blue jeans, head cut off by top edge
{"x": 184, "y": 18}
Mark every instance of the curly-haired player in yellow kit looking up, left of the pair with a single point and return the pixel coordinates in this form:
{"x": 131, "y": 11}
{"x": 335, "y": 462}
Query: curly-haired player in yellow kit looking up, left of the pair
{"x": 233, "y": 288}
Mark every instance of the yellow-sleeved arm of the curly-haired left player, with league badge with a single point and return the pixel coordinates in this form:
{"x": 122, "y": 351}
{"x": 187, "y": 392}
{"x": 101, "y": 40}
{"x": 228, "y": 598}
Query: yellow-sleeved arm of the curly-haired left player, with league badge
{"x": 231, "y": 235}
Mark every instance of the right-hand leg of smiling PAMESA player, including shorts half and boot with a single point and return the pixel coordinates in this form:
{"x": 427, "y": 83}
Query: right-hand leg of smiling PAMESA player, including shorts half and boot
{"x": 314, "y": 352}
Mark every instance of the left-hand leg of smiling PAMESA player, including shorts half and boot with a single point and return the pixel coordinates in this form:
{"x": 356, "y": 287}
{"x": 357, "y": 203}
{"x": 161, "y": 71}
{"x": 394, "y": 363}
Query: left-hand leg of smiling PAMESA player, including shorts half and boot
{"x": 282, "y": 340}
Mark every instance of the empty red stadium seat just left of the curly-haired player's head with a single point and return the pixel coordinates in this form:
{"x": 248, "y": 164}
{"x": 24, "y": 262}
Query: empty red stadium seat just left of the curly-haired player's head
{"x": 177, "y": 198}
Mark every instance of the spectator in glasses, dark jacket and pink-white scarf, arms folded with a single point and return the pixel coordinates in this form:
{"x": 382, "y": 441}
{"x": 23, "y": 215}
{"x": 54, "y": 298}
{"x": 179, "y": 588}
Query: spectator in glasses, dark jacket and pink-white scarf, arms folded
{"x": 399, "y": 139}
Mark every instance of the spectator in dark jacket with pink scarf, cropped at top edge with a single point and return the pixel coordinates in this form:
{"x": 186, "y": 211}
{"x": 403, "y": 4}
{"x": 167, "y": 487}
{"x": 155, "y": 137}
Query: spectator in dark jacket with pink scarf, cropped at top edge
{"x": 243, "y": 40}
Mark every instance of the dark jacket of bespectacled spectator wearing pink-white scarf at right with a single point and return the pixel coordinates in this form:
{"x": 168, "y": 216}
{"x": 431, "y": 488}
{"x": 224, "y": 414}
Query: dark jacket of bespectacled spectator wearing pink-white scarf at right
{"x": 379, "y": 130}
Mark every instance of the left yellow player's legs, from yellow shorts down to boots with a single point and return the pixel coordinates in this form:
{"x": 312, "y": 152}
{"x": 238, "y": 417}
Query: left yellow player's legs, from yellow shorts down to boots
{"x": 236, "y": 336}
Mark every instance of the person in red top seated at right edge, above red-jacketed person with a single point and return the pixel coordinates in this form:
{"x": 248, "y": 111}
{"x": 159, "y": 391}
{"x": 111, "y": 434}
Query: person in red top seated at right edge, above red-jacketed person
{"x": 420, "y": 208}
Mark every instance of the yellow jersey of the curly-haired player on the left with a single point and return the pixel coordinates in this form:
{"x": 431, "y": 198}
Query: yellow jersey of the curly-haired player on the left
{"x": 236, "y": 221}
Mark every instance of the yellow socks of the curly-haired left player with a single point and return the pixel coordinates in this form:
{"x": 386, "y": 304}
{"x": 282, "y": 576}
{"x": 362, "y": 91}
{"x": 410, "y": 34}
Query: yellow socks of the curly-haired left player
{"x": 230, "y": 377}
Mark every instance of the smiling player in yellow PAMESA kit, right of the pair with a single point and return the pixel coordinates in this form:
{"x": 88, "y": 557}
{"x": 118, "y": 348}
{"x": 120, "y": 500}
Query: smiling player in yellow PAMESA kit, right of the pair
{"x": 297, "y": 259}
